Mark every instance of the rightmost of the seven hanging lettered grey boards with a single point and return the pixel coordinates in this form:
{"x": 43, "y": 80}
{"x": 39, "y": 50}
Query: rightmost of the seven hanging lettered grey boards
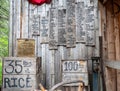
{"x": 90, "y": 24}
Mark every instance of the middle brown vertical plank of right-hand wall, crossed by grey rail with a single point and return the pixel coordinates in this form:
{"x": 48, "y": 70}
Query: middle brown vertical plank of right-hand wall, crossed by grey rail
{"x": 110, "y": 73}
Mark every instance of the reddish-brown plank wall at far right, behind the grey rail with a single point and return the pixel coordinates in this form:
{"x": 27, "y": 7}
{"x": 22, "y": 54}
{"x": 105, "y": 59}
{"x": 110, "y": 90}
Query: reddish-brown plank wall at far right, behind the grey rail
{"x": 110, "y": 30}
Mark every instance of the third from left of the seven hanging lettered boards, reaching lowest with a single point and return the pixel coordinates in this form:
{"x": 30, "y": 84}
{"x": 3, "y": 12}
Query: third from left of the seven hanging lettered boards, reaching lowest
{"x": 53, "y": 39}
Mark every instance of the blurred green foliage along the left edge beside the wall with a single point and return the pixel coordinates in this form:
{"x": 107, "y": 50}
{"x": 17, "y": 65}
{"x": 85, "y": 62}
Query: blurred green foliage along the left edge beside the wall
{"x": 4, "y": 17}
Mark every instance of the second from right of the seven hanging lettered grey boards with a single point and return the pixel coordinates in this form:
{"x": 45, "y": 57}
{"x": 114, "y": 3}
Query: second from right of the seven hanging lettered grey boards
{"x": 80, "y": 21}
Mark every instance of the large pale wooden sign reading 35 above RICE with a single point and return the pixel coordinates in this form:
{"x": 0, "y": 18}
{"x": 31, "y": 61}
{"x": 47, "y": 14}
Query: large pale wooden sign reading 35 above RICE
{"x": 19, "y": 74}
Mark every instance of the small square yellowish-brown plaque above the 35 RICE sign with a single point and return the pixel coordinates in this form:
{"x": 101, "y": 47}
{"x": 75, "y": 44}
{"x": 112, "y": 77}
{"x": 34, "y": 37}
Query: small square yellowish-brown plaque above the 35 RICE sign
{"x": 25, "y": 47}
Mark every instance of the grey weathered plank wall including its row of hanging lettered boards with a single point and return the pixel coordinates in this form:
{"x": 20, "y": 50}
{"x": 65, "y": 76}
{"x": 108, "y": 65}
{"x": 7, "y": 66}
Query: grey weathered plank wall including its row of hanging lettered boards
{"x": 70, "y": 31}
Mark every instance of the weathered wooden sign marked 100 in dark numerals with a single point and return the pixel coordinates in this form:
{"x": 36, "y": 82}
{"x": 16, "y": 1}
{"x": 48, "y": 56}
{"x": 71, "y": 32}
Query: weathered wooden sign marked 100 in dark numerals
{"x": 74, "y": 70}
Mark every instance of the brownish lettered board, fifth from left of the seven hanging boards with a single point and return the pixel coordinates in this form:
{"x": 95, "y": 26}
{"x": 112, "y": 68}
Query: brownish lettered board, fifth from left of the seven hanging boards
{"x": 70, "y": 24}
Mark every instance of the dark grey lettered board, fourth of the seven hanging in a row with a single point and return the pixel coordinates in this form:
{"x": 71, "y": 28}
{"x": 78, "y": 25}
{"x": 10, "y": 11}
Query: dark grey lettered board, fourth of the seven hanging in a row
{"x": 61, "y": 26}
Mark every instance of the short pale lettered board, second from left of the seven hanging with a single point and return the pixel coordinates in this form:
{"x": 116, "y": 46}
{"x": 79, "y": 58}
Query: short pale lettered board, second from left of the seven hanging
{"x": 44, "y": 30}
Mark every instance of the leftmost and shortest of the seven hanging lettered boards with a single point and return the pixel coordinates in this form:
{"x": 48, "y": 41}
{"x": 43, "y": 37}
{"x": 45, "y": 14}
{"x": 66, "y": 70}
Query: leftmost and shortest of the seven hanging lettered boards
{"x": 35, "y": 25}
